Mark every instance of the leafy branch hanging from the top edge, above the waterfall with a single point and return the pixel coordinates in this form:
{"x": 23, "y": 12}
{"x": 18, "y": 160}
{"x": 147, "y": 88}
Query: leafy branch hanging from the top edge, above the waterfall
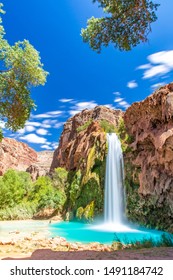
{"x": 126, "y": 24}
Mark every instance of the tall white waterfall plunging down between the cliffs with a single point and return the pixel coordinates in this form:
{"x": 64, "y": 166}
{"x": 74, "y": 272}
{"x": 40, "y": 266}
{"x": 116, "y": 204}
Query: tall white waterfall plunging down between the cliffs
{"x": 114, "y": 188}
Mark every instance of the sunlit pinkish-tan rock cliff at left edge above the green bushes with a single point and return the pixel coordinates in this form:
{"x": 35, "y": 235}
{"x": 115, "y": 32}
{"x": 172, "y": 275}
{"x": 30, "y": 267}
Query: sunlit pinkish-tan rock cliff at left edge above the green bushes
{"x": 15, "y": 155}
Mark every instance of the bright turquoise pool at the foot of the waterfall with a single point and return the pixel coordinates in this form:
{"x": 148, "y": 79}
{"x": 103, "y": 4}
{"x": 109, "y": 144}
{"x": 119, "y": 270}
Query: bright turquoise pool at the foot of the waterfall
{"x": 85, "y": 233}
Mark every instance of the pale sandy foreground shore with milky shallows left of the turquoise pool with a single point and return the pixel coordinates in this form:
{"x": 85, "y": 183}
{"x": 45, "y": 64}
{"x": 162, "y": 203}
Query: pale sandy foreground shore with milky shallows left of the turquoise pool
{"x": 31, "y": 240}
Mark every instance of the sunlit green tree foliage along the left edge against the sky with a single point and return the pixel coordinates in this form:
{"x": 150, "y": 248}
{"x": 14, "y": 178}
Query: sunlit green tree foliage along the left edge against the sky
{"x": 20, "y": 70}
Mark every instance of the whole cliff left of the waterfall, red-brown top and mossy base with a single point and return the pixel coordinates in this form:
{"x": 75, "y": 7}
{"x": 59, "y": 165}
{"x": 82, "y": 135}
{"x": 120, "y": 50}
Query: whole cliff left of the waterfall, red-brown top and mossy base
{"x": 82, "y": 152}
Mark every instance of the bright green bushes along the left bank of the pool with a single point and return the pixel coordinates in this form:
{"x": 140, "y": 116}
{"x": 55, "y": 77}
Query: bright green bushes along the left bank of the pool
{"x": 20, "y": 198}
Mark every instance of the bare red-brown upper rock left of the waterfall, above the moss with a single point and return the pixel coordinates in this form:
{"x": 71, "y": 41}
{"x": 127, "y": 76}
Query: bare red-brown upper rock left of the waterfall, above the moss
{"x": 75, "y": 142}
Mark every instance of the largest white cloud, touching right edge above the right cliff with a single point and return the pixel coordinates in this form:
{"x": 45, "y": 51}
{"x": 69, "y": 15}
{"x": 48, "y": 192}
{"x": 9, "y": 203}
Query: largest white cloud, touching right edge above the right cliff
{"x": 160, "y": 63}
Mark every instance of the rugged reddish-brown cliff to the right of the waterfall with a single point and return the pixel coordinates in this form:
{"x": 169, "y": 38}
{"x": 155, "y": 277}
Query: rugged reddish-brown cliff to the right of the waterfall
{"x": 149, "y": 164}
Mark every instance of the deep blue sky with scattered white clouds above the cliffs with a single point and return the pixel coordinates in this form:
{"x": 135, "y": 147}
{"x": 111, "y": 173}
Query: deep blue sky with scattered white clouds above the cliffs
{"x": 80, "y": 78}
